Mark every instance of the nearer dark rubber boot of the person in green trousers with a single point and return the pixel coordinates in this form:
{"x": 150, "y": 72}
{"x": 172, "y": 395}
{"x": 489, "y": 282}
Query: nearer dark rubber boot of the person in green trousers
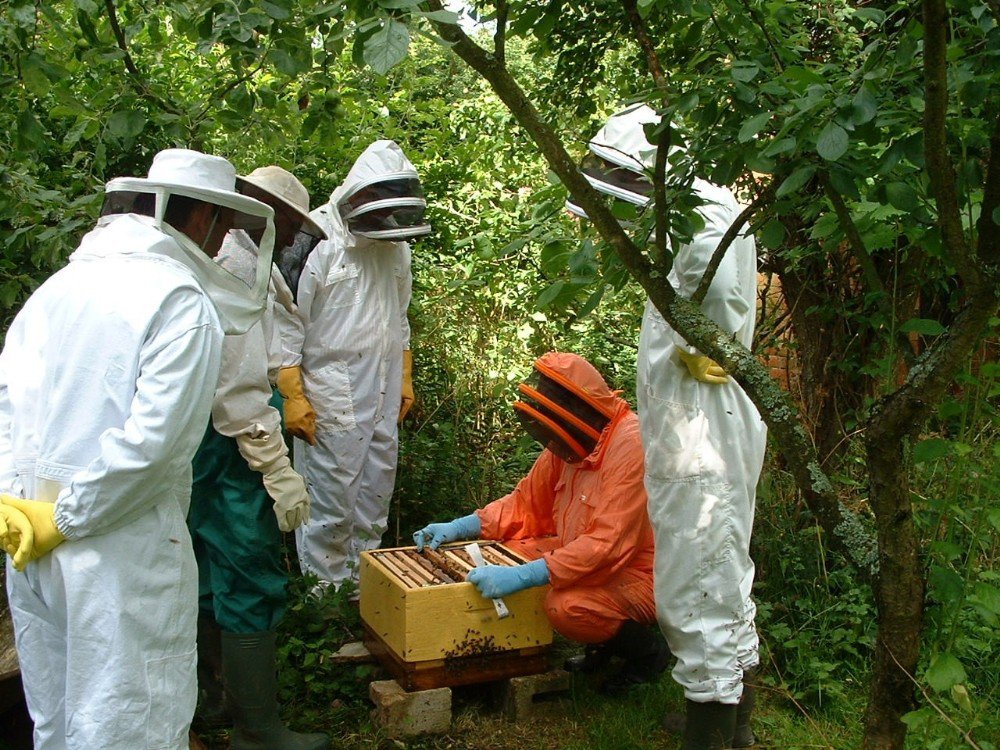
{"x": 248, "y": 662}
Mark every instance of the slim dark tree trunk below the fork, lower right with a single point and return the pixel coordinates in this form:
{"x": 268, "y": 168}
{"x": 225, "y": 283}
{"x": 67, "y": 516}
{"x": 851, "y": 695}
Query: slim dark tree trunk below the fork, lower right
{"x": 899, "y": 593}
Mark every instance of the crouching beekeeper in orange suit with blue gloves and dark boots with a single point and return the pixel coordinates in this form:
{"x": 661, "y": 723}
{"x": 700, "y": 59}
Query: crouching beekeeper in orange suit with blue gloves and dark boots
{"x": 580, "y": 515}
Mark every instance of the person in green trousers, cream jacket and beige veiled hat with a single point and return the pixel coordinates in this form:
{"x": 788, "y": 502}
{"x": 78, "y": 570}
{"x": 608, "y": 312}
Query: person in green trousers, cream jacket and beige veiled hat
{"x": 242, "y": 473}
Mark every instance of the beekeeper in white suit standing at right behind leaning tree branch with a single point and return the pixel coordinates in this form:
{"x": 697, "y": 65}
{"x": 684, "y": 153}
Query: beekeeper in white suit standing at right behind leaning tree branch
{"x": 704, "y": 442}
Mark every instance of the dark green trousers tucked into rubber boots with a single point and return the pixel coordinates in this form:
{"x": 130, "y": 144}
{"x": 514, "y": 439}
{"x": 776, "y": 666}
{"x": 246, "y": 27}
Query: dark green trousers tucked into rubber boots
{"x": 241, "y": 582}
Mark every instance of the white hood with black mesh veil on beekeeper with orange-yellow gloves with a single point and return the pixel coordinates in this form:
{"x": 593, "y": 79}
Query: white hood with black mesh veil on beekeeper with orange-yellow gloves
{"x": 381, "y": 198}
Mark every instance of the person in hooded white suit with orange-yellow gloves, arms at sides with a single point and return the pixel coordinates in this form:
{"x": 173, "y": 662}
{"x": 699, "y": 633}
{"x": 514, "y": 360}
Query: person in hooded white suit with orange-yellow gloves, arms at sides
{"x": 355, "y": 372}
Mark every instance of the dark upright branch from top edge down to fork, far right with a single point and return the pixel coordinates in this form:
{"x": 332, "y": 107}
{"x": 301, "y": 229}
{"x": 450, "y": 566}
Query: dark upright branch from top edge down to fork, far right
{"x": 940, "y": 170}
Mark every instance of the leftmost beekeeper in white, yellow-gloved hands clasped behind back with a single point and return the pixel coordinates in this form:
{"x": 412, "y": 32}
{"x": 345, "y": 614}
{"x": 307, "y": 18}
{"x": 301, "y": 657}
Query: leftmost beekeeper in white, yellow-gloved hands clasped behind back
{"x": 106, "y": 382}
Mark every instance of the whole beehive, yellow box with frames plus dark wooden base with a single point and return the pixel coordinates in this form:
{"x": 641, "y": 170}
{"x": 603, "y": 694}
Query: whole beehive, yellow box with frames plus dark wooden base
{"x": 430, "y": 628}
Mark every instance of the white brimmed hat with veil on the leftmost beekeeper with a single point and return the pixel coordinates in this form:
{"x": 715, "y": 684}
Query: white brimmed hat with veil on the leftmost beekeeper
{"x": 179, "y": 176}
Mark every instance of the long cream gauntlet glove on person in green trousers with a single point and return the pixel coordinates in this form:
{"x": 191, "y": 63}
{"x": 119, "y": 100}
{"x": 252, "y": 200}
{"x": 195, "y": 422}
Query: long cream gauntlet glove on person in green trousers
{"x": 268, "y": 454}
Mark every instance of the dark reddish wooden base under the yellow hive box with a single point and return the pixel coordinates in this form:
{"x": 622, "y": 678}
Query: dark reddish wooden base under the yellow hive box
{"x": 457, "y": 670}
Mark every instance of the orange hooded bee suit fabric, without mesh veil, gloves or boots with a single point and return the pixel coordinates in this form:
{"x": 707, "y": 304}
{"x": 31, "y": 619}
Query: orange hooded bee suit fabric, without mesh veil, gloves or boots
{"x": 588, "y": 520}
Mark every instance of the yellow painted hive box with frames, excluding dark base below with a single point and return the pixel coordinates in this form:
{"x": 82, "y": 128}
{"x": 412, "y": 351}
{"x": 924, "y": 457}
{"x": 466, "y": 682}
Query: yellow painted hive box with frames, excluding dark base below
{"x": 421, "y": 620}
